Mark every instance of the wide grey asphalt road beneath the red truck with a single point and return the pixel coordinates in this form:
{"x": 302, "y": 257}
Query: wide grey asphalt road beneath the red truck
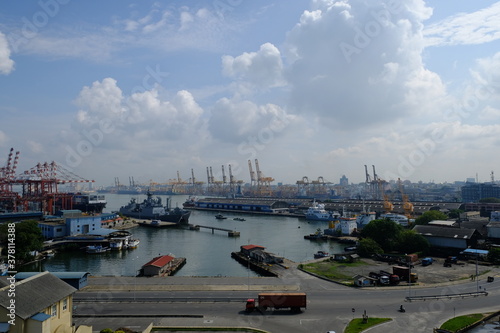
{"x": 185, "y": 301}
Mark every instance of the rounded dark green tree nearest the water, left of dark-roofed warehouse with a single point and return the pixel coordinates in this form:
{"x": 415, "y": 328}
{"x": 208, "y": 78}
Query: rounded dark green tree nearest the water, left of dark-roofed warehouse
{"x": 385, "y": 232}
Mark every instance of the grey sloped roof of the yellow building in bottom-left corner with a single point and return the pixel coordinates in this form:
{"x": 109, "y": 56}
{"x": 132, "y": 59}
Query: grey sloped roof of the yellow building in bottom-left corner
{"x": 36, "y": 293}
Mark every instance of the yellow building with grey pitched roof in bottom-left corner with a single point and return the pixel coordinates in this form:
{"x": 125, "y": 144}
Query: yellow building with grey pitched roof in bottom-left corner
{"x": 42, "y": 304}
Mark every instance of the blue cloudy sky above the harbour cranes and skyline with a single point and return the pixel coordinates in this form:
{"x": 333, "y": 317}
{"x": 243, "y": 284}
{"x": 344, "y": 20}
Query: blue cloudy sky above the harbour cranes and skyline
{"x": 315, "y": 88}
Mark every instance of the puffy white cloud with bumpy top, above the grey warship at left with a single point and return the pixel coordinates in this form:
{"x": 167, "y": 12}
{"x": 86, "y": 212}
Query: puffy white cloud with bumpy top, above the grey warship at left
{"x": 140, "y": 114}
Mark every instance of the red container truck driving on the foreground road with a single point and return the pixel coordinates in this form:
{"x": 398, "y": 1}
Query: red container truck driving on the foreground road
{"x": 292, "y": 301}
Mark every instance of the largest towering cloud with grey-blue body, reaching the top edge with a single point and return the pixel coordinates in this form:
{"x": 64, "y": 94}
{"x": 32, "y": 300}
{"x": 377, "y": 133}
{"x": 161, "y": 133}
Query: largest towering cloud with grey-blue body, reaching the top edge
{"x": 355, "y": 64}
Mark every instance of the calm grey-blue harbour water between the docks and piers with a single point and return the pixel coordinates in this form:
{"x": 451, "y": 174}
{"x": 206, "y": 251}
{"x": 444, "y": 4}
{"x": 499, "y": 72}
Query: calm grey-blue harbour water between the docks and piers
{"x": 207, "y": 254}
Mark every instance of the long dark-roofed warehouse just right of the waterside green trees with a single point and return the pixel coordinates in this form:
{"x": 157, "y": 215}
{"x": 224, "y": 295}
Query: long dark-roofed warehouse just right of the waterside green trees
{"x": 448, "y": 237}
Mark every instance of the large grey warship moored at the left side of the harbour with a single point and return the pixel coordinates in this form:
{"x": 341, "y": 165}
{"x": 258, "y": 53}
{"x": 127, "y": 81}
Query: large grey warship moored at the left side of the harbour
{"x": 152, "y": 208}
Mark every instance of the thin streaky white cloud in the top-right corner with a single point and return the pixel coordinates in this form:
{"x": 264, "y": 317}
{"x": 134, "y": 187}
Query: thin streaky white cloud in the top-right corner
{"x": 479, "y": 27}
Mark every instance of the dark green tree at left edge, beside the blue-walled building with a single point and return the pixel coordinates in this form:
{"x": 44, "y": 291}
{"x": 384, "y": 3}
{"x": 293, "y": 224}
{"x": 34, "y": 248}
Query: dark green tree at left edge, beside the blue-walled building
{"x": 28, "y": 238}
